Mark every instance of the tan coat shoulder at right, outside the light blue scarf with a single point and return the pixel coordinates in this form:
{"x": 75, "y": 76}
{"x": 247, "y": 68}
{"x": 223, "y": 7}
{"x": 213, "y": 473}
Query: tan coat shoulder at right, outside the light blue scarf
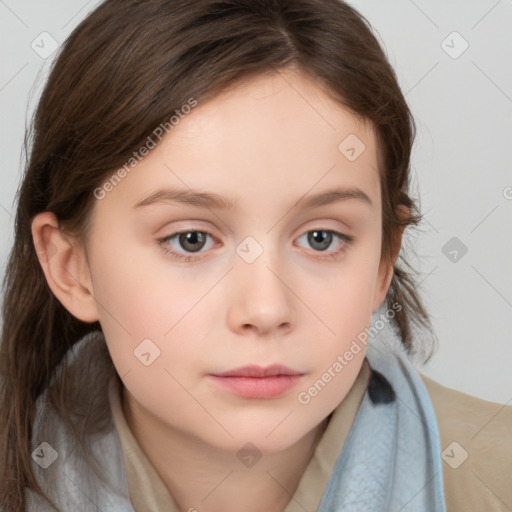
{"x": 476, "y": 444}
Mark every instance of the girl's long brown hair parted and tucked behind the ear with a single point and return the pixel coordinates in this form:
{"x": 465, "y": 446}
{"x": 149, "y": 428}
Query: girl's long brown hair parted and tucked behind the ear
{"x": 121, "y": 73}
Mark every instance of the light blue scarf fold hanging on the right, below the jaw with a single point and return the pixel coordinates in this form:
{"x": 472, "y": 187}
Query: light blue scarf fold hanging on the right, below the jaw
{"x": 391, "y": 460}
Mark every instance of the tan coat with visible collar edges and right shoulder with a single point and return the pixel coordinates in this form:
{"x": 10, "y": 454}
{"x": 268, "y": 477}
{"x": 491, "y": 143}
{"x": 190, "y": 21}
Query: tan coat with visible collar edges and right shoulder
{"x": 482, "y": 481}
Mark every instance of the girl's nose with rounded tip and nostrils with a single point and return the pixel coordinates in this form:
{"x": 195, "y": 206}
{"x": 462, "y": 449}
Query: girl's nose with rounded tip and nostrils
{"x": 262, "y": 300}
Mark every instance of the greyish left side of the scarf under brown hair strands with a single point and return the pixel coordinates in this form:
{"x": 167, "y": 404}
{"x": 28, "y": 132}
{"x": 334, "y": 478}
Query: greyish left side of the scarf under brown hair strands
{"x": 77, "y": 457}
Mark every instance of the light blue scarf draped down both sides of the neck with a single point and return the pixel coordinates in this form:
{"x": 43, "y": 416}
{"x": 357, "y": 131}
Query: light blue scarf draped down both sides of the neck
{"x": 391, "y": 459}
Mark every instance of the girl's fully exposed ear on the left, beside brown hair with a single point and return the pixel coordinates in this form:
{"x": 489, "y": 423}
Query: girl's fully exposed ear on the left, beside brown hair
{"x": 65, "y": 267}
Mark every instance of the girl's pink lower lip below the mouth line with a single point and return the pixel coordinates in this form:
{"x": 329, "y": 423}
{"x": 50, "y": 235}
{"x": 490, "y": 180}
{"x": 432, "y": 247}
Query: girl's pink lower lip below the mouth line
{"x": 258, "y": 387}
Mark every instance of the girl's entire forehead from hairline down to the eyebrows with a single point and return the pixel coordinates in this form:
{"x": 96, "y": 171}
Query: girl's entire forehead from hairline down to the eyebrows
{"x": 264, "y": 138}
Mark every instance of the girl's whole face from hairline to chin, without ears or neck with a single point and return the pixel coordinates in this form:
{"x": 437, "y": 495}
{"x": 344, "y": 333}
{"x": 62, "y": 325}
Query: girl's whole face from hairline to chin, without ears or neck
{"x": 259, "y": 278}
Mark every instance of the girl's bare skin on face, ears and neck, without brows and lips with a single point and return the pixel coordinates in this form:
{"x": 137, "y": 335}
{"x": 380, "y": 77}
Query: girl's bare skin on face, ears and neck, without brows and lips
{"x": 264, "y": 143}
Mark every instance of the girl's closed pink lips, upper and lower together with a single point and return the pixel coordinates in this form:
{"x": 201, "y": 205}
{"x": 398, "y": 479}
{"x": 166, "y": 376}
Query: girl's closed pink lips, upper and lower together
{"x": 258, "y": 382}
